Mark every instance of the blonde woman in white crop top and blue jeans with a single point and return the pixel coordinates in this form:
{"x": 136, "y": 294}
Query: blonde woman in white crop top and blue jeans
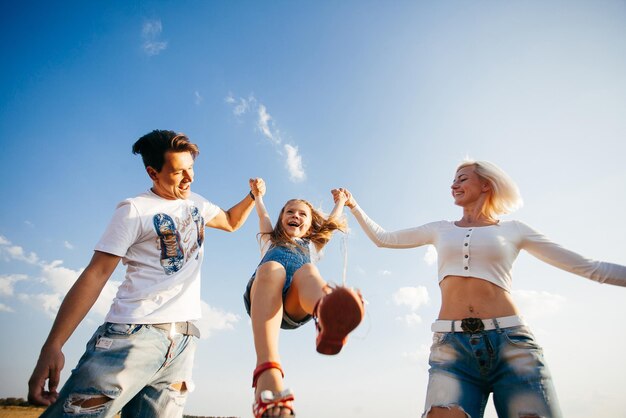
{"x": 481, "y": 344}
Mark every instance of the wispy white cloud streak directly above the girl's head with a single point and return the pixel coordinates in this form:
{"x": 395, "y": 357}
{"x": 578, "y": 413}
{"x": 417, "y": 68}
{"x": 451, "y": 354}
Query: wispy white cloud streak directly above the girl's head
{"x": 264, "y": 123}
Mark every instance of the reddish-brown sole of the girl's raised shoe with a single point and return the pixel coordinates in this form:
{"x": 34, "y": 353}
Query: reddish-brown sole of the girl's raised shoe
{"x": 336, "y": 315}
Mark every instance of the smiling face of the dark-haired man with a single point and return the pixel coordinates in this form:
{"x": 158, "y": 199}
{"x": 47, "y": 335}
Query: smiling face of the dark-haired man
{"x": 175, "y": 178}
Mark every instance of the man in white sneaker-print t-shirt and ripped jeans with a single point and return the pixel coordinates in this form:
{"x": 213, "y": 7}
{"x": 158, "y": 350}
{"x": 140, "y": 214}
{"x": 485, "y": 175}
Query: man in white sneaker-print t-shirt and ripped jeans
{"x": 139, "y": 361}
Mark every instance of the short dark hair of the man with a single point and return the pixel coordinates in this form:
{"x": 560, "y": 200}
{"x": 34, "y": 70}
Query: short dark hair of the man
{"x": 154, "y": 145}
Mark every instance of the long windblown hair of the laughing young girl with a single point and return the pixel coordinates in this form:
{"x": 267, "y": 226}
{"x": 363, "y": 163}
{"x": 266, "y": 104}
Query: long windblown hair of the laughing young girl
{"x": 319, "y": 233}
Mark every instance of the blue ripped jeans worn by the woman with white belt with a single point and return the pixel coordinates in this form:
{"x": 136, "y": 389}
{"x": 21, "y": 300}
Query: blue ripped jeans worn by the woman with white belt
{"x": 465, "y": 368}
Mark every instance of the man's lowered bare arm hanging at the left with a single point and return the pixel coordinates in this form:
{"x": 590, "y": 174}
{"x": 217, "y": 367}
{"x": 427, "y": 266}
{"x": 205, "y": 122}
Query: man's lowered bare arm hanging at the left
{"x": 75, "y": 306}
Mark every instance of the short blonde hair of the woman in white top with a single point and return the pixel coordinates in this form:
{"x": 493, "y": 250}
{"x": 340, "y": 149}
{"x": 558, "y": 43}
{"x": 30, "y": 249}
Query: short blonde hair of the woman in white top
{"x": 504, "y": 196}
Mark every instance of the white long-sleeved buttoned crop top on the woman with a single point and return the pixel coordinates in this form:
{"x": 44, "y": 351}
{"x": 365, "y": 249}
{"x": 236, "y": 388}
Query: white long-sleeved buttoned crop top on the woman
{"x": 488, "y": 252}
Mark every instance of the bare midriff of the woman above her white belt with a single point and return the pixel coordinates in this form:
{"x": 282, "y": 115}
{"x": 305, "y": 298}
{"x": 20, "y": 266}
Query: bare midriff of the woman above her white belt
{"x": 471, "y": 297}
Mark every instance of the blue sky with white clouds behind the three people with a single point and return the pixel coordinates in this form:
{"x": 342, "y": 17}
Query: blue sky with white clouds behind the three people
{"x": 384, "y": 98}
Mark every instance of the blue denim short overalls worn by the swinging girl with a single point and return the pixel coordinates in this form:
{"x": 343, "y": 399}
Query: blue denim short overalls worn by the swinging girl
{"x": 291, "y": 259}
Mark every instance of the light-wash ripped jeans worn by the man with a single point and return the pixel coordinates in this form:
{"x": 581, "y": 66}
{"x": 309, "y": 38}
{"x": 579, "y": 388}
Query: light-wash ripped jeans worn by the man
{"x": 133, "y": 369}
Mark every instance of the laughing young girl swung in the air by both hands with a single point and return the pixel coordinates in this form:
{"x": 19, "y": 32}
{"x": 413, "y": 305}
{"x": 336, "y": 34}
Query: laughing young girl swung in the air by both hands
{"x": 287, "y": 290}
